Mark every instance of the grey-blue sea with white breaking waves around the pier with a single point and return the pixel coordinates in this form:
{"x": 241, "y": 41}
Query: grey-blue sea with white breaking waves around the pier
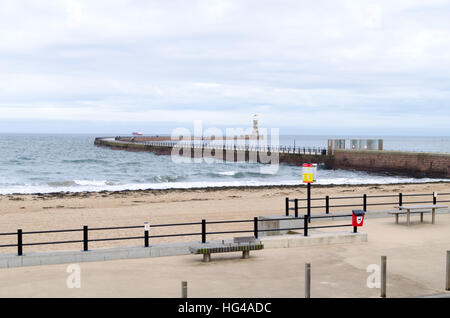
{"x": 46, "y": 163}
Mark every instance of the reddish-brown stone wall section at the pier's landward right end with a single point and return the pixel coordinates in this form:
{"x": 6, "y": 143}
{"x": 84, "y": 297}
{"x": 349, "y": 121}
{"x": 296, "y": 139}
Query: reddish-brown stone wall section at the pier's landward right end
{"x": 403, "y": 163}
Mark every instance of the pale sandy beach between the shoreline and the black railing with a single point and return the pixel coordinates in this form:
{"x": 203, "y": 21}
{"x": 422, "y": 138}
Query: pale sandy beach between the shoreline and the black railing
{"x": 107, "y": 209}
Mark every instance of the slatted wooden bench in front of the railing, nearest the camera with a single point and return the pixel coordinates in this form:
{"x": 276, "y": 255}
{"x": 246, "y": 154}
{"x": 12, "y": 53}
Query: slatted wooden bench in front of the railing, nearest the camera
{"x": 238, "y": 244}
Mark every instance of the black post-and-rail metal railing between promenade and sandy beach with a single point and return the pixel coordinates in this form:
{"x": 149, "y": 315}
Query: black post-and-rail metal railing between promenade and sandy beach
{"x": 202, "y": 232}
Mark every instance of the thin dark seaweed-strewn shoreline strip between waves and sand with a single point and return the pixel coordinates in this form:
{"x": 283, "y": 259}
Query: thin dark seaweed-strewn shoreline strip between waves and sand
{"x": 62, "y": 194}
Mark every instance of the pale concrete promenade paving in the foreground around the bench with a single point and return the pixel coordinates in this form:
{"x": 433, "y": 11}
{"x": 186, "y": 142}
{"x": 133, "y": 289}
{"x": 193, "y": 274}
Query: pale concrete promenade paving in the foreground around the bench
{"x": 415, "y": 267}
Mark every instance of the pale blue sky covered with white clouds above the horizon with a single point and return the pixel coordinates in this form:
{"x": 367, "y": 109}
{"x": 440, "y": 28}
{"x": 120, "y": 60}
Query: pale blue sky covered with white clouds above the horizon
{"x": 306, "y": 67}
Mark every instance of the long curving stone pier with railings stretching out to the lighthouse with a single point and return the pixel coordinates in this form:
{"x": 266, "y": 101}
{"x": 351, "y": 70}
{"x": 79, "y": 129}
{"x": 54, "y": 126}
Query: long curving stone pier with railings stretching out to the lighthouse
{"x": 413, "y": 164}
